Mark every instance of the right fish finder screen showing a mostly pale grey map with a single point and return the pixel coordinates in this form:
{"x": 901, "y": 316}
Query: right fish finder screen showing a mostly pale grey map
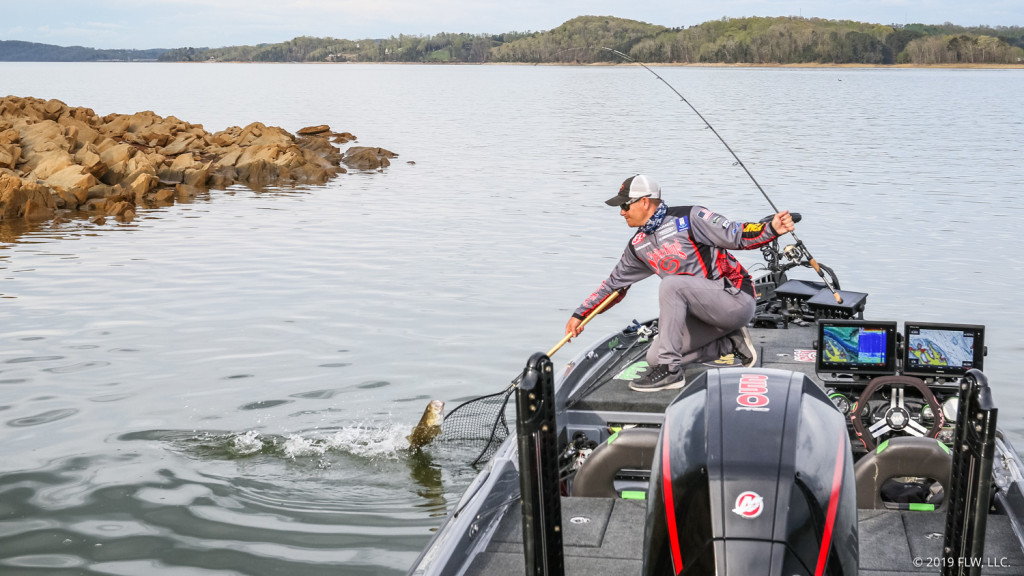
{"x": 943, "y": 350}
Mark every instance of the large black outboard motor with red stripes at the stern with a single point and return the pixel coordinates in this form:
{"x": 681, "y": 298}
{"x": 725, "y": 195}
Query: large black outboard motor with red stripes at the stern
{"x": 753, "y": 476}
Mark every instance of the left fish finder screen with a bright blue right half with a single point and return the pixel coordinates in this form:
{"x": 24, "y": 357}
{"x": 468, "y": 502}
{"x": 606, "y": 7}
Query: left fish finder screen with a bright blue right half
{"x": 857, "y": 347}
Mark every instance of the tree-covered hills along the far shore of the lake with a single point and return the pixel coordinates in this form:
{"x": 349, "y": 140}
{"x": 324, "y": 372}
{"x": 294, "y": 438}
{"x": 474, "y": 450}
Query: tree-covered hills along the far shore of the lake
{"x": 749, "y": 40}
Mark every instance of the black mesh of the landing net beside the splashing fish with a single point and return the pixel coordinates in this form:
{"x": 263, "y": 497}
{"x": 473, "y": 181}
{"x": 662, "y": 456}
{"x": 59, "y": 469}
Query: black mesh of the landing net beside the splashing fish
{"x": 481, "y": 423}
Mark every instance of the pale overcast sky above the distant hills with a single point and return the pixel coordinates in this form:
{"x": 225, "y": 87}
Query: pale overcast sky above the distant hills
{"x": 174, "y": 24}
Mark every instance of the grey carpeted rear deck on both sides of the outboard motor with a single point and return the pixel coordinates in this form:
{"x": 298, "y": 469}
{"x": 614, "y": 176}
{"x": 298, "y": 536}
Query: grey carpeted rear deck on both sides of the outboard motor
{"x": 610, "y": 541}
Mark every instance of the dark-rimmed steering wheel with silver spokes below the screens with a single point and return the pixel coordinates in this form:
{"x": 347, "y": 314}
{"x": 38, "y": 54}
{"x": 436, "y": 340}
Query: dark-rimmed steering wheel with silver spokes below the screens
{"x": 898, "y": 418}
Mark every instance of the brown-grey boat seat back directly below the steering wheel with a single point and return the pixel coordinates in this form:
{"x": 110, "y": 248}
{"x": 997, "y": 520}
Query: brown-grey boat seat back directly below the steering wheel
{"x": 902, "y": 457}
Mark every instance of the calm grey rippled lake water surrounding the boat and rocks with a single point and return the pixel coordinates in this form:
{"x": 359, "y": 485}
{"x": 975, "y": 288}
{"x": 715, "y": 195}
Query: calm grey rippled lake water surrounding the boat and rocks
{"x": 225, "y": 387}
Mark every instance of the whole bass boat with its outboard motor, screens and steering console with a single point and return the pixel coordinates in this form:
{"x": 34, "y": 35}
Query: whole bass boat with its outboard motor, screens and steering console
{"x": 849, "y": 446}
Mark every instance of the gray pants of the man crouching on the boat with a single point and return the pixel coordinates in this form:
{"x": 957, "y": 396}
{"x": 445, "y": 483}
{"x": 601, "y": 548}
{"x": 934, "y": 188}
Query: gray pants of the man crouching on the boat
{"x": 696, "y": 316}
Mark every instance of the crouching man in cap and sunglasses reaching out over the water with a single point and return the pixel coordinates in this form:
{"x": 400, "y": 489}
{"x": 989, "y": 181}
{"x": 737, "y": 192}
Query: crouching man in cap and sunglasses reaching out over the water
{"x": 706, "y": 299}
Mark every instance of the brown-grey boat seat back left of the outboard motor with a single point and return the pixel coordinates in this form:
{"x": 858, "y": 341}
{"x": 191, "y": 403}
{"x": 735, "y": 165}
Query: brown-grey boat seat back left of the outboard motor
{"x": 630, "y": 448}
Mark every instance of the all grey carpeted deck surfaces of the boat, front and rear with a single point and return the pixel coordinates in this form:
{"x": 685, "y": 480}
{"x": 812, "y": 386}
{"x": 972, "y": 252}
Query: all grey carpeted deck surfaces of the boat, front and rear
{"x": 606, "y": 537}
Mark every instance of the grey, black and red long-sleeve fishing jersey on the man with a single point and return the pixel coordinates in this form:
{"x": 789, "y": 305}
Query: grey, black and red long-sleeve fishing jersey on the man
{"x": 693, "y": 241}
